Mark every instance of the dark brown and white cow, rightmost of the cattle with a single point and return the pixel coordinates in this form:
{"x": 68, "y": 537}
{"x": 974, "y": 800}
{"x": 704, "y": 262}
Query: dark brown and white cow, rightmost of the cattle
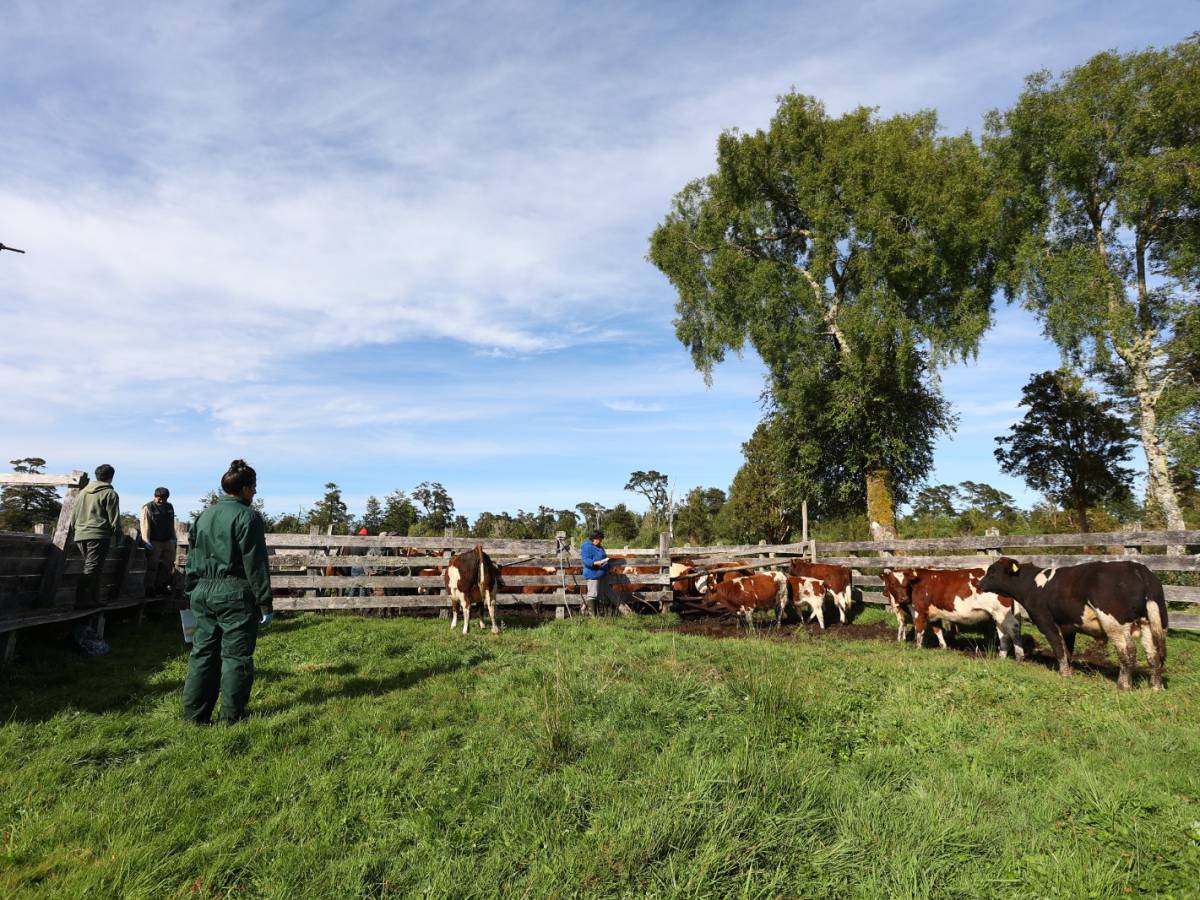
{"x": 1111, "y": 602}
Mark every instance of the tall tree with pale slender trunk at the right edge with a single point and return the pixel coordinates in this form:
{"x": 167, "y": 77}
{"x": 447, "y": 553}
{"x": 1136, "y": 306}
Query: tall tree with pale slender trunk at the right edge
{"x": 1102, "y": 169}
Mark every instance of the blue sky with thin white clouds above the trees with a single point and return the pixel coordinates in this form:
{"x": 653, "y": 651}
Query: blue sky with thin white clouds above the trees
{"x": 382, "y": 243}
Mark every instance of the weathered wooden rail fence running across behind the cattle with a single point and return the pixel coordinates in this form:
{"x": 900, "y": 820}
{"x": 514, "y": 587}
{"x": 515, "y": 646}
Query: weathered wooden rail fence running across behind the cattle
{"x": 299, "y": 565}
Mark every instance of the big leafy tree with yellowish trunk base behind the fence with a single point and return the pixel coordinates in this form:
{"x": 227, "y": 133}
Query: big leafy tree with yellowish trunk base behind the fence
{"x": 855, "y": 255}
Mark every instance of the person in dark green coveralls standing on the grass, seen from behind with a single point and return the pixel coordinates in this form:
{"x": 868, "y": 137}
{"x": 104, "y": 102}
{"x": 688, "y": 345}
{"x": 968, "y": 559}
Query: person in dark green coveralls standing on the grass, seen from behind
{"x": 229, "y": 589}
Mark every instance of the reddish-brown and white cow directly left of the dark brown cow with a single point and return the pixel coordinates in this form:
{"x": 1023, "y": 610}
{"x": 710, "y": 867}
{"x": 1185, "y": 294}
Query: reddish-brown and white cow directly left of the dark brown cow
{"x": 937, "y": 597}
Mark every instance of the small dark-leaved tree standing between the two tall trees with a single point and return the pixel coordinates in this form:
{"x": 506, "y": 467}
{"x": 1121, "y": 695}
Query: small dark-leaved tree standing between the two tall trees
{"x": 1070, "y": 446}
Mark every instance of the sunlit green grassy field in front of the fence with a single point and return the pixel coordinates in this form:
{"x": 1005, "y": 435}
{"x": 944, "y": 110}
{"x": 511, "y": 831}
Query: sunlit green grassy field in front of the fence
{"x": 611, "y": 759}
